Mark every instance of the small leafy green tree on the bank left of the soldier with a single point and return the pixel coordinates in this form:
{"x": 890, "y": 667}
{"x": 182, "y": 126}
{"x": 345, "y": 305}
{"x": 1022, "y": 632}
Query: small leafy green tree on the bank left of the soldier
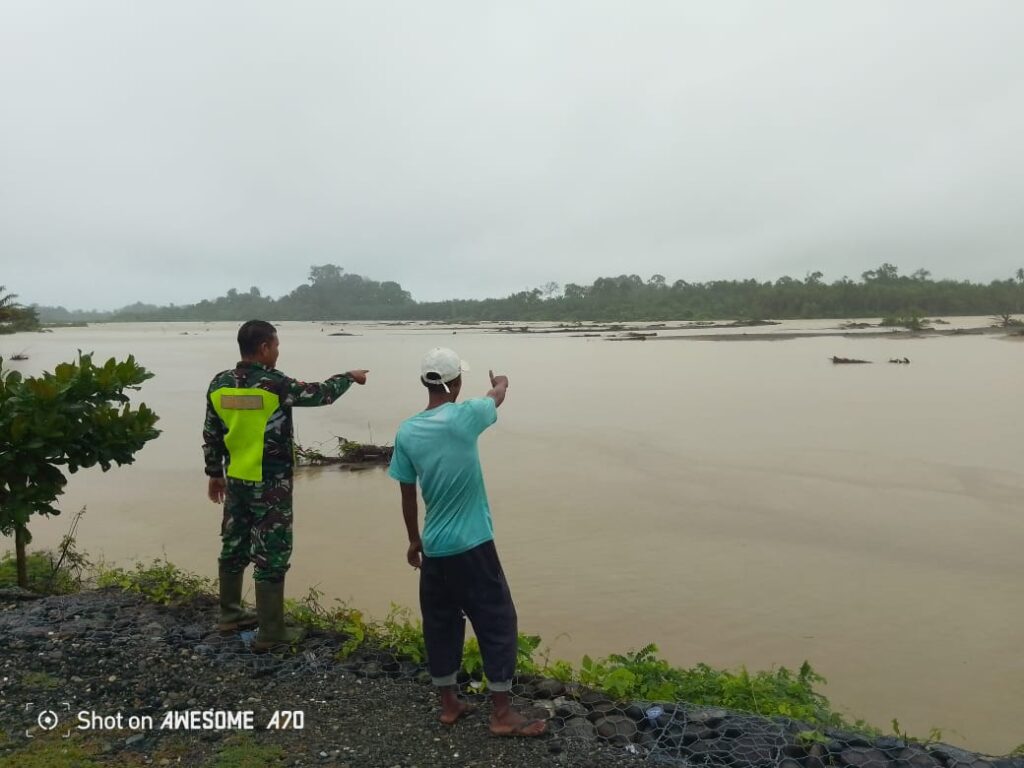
{"x": 76, "y": 417}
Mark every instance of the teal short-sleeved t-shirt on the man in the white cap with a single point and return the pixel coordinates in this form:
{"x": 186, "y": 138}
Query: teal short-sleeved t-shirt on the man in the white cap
{"x": 439, "y": 449}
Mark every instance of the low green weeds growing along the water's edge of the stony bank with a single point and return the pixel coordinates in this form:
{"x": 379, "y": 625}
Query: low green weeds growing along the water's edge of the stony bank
{"x": 636, "y": 675}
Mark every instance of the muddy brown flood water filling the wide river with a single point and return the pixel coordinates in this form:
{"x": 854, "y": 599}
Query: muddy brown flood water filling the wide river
{"x": 737, "y": 503}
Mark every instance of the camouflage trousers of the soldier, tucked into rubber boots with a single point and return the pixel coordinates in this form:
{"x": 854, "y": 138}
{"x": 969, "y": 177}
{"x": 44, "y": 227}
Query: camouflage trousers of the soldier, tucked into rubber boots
{"x": 258, "y": 528}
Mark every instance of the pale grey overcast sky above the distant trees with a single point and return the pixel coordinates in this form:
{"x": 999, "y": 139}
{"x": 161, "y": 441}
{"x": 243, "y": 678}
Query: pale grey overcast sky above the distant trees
{"x": 166, "y": 152}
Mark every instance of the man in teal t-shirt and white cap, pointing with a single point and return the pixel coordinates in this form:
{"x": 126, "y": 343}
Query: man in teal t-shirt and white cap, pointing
{"x": 460, "y": 574}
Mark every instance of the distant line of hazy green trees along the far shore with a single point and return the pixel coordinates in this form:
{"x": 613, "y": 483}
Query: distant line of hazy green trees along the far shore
{"x": 330, "y": 293}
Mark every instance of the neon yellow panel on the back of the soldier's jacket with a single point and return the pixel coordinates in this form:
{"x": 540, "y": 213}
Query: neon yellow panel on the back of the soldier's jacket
{"x": 245, "y": 413}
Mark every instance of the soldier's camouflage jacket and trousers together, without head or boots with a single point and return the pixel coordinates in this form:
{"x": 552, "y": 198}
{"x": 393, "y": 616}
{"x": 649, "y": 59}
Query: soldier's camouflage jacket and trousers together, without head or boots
{"x": 249, "y": 430}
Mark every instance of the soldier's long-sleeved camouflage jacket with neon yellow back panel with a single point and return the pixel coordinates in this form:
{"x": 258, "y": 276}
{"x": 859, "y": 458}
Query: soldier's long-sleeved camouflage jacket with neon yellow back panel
{"x": 277, "y": 451}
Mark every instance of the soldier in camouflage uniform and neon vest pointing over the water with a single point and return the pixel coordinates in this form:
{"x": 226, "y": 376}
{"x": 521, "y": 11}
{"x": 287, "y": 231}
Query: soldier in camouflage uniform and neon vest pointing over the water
{"x": 249, "y": 435}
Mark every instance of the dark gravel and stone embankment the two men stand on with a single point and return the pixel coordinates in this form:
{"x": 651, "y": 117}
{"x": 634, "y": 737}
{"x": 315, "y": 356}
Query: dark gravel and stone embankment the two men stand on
{"x": 157, "y": 688}
